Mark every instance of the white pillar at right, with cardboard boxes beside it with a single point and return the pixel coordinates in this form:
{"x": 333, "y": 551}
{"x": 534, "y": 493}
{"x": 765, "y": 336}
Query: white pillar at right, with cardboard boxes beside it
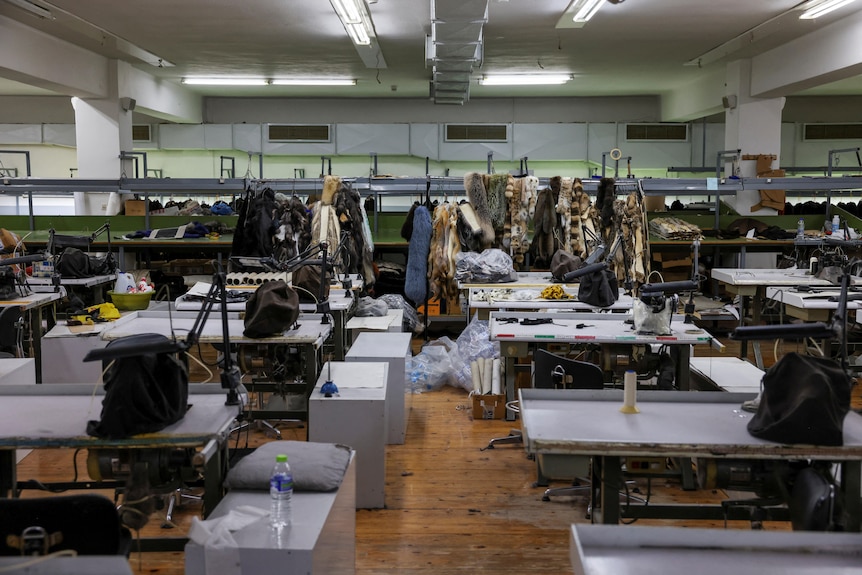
{"x": 752, "y": 125}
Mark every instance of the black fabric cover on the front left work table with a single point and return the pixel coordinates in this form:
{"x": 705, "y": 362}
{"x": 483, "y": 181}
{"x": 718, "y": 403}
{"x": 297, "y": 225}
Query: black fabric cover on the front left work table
{"x": 144, "y": 393}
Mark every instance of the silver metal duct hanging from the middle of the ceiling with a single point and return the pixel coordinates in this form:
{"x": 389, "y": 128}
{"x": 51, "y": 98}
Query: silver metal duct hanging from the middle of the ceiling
{"x": 454, "y": 47}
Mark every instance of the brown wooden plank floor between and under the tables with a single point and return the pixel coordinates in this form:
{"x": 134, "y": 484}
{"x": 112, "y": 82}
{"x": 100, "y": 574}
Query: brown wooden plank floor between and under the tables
{"x": 451, "y": 507}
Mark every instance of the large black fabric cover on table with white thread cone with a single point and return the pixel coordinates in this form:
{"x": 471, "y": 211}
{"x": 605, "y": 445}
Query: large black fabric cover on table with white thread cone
{"x": 804, "y": 400}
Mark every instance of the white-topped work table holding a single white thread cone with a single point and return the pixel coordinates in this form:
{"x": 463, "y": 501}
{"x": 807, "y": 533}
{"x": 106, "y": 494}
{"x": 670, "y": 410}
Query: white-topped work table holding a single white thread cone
{"x": 681, "y": 424}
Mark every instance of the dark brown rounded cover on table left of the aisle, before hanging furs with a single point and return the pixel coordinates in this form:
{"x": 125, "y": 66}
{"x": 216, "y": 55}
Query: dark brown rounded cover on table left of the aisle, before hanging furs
{"x": 271, "y": 309}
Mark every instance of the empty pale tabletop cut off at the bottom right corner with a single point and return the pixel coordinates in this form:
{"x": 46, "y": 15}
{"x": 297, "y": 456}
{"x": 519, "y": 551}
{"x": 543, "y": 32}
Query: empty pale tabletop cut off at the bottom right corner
{"x": 627, "y": 550}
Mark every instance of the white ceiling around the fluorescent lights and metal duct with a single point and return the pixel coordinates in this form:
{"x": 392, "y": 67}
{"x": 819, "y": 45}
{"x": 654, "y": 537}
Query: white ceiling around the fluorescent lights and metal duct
{"x": 634, "y": 47}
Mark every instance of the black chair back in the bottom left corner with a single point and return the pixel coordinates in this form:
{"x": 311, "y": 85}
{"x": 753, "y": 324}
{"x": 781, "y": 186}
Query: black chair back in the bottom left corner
{"x": 85, "y": 523}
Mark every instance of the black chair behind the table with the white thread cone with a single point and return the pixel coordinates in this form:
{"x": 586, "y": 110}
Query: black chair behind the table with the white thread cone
{"x": 555, "y": 372}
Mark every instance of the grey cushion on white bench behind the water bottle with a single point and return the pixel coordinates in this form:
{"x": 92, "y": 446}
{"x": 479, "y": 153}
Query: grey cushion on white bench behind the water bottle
{"x": 315, "y": 466}
